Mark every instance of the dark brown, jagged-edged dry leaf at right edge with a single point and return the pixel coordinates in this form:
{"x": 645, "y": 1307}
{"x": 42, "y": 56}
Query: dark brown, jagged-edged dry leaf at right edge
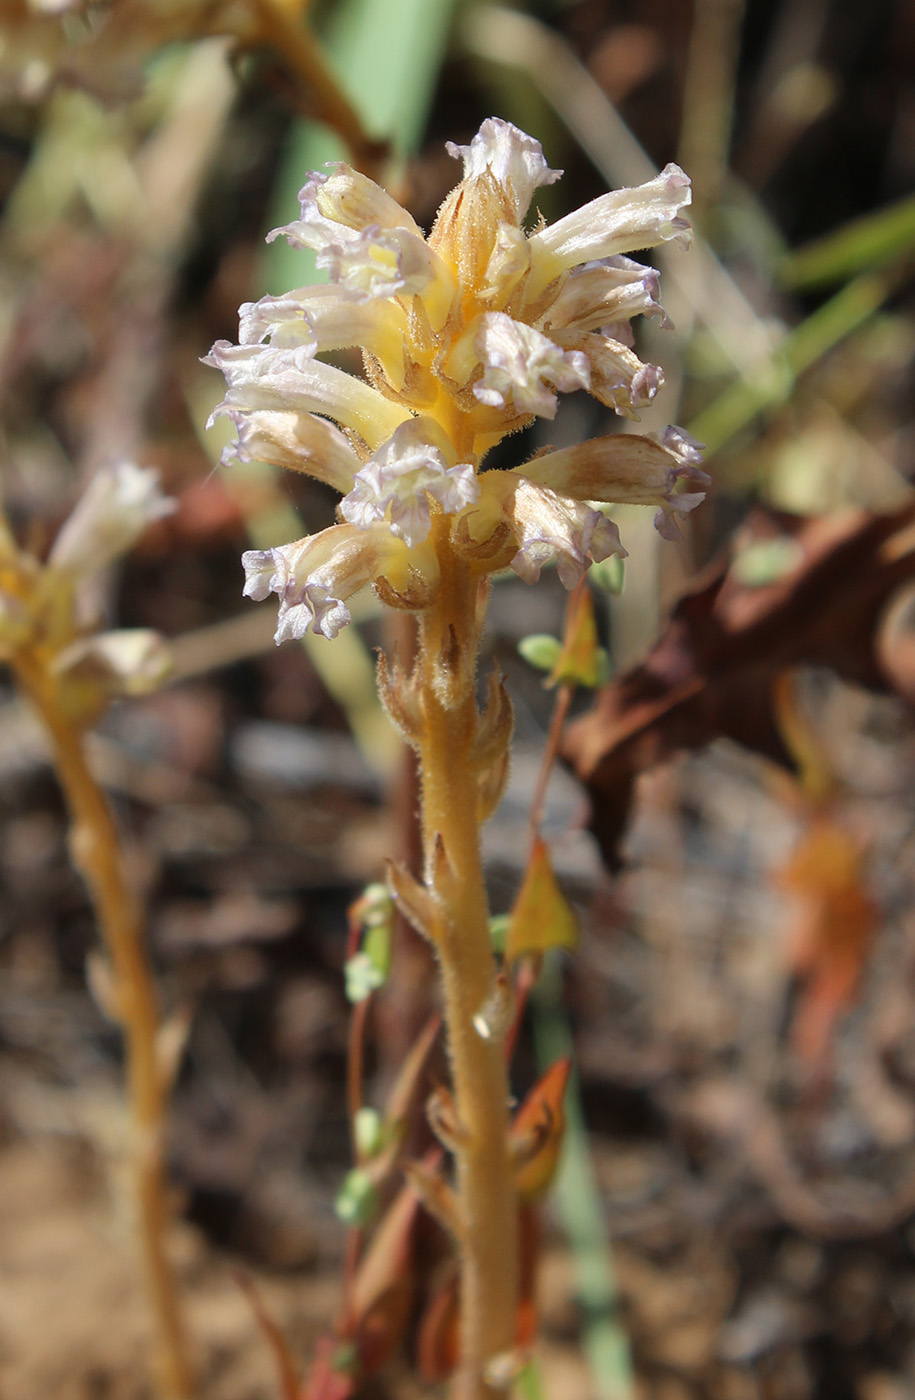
{"x": 714, "y": 670}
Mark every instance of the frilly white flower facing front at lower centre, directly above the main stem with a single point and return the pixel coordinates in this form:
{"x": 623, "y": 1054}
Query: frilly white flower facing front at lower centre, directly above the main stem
{"x": 402, "y": 478}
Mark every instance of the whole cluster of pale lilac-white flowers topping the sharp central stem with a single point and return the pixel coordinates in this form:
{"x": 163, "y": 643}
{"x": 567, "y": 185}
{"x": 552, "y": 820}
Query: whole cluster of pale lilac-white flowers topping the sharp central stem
{"x": 467, "y": 335}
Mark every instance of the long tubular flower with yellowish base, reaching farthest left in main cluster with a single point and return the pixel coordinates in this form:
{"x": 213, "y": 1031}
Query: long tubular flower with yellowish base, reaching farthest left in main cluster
{"x": 261, "y": 377}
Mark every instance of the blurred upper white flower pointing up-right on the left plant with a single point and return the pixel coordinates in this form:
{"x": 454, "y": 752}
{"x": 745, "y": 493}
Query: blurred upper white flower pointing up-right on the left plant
{"x": 110, "y": 517}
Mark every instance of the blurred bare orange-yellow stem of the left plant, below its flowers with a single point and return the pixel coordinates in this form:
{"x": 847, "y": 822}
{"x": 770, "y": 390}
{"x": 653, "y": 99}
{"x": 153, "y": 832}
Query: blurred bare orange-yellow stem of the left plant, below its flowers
{"x": 96, "y": 852}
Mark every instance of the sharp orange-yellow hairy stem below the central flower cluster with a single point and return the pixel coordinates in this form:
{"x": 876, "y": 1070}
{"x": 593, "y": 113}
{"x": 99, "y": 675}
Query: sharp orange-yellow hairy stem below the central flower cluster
{"x": 486, "y": 1193}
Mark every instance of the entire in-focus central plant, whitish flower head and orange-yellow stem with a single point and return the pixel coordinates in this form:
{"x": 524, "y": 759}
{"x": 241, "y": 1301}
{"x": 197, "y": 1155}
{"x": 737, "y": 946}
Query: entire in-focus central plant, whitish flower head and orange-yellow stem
{"x": 467, "y": 335}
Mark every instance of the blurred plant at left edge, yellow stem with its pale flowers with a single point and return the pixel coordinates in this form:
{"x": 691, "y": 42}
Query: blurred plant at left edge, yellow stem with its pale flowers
{"x": 69, "y": 671}
